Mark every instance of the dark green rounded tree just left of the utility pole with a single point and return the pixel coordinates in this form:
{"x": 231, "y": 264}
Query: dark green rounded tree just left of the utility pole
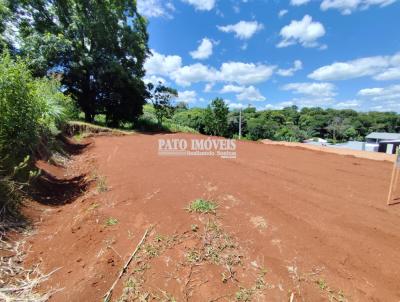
{"x": 216, "y": 118}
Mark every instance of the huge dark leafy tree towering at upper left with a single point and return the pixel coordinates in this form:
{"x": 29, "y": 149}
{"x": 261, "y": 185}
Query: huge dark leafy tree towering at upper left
{"x": 99, "y": 47}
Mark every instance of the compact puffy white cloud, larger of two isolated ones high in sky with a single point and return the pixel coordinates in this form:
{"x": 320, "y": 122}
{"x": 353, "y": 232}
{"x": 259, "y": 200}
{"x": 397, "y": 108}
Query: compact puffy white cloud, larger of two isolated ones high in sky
{"x": 305, "y": 32}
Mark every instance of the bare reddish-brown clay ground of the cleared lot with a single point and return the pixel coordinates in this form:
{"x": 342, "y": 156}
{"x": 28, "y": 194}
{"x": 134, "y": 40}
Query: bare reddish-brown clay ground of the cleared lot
{"x": 291, "y": 224}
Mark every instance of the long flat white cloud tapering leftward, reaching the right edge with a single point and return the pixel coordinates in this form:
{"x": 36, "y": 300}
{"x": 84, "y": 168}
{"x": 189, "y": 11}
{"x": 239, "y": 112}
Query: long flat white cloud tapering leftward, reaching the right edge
{"x": 379, "y": 67}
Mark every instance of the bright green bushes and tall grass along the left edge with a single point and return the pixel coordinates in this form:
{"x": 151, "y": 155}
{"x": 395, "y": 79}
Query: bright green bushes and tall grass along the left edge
{"x": 31, "y": 113}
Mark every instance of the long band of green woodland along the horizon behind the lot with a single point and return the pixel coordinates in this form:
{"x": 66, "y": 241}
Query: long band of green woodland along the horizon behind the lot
{"x": 290, "y": 124}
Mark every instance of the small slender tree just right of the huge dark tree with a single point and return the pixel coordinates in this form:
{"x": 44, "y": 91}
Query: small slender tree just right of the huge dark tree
{"x": 161, "y": 97}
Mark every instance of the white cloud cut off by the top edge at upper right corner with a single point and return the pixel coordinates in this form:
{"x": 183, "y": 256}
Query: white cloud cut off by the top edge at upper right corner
{"x": 346, "y": 7}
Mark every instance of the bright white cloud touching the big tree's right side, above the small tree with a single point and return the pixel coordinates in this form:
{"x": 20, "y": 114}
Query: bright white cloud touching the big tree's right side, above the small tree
{"x": 159, "y": 64}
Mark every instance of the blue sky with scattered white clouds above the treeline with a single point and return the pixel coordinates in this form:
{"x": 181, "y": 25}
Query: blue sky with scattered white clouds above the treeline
{"x": 271, "y": 54}
